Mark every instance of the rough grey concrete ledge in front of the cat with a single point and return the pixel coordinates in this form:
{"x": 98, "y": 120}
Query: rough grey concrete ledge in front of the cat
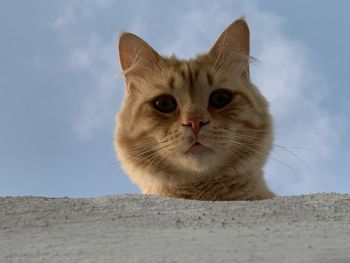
{"x": 139, "y": 228}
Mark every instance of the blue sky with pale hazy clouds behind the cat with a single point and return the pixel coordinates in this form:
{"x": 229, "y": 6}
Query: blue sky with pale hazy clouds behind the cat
{"x": 61, "y": 85}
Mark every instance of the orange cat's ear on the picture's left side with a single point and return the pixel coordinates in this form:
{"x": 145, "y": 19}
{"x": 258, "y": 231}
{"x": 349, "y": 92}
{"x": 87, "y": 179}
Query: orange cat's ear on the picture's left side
{"x": 136, "y": 56}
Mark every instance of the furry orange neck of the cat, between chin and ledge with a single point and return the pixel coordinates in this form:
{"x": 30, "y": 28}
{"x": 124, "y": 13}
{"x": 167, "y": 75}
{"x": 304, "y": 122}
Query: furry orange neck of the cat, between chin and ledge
{"x": 230, "y": 185}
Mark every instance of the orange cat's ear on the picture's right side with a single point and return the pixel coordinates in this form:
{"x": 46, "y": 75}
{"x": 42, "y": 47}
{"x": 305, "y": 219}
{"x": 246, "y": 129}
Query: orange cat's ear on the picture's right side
{"x": 232, "y": 47}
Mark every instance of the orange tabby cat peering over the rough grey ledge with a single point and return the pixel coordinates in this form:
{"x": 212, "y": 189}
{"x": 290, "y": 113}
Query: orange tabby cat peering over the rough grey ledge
{"x": 194, "y": 129}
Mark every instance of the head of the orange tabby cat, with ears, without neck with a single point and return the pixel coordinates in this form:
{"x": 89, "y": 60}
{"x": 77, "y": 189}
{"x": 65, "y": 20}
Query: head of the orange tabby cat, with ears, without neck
{"x": 191, "y": 116}
